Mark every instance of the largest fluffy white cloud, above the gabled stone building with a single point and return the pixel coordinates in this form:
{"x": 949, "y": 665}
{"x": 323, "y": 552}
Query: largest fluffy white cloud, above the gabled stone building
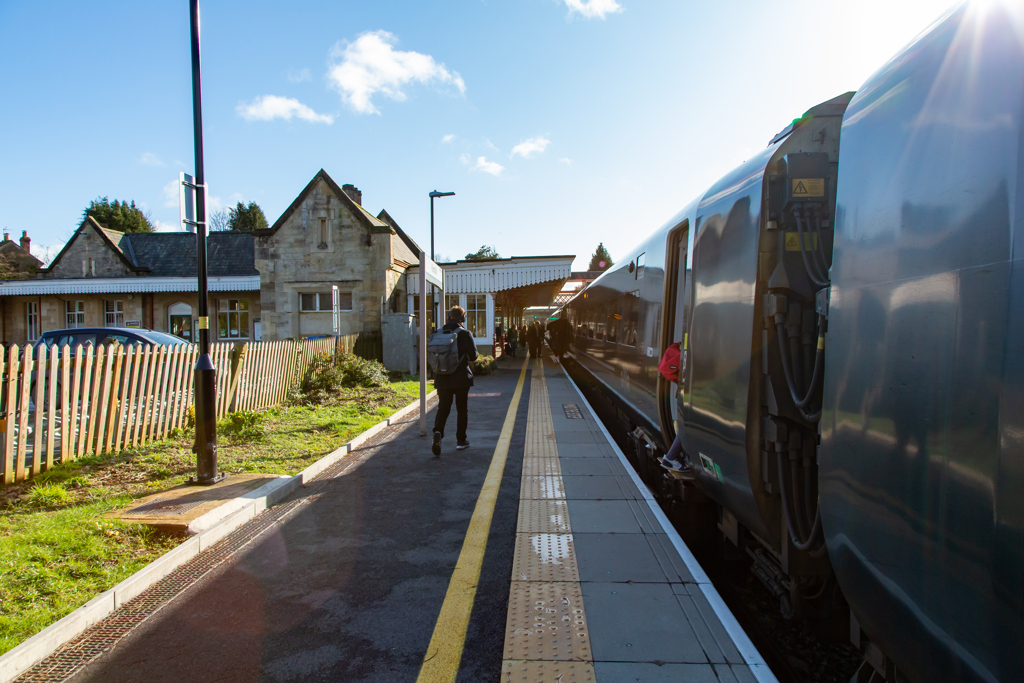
{"x": 371, "y": 65}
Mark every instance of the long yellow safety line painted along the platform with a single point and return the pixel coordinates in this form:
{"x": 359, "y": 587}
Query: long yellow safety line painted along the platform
{"x": 441, "y": 664}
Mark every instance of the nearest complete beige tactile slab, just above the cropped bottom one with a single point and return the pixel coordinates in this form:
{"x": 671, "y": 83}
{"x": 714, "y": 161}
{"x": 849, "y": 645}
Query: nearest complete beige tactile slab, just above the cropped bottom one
{"x": 546, "y": 622}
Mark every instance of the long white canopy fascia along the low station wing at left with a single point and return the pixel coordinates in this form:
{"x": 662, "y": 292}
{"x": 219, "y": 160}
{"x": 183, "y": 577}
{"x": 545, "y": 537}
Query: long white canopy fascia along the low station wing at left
{"x": 126, "y": 285}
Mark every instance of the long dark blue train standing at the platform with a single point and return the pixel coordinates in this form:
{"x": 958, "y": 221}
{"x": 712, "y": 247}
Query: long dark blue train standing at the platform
{"x": 849, "y": 305}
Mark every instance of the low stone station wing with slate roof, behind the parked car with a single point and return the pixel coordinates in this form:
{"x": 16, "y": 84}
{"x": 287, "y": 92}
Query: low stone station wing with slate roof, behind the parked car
{"x": 104, "y": 278}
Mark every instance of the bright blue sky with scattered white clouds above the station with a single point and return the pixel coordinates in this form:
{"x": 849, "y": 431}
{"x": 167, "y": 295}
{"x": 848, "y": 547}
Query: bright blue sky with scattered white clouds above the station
{"x": 559, "y": 123}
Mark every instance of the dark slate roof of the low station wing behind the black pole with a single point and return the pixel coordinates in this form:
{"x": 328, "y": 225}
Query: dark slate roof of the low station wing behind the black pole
{"x": 174, "y": 254}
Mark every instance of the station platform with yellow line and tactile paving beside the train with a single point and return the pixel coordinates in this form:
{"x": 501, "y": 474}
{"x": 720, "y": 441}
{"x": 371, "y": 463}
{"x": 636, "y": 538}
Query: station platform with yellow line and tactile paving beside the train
{"x": 535, "y": 556}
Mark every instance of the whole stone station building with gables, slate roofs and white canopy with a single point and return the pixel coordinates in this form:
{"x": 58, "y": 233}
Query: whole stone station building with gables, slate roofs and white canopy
{"x": 269, "y": 285}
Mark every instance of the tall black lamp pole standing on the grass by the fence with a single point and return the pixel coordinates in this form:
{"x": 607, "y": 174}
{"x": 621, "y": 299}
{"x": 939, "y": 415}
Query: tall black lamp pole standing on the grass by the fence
{"x": 206, "y": 375}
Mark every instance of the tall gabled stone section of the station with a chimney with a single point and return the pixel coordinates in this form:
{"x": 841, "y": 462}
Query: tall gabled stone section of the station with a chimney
{"x": 327, "y": 239}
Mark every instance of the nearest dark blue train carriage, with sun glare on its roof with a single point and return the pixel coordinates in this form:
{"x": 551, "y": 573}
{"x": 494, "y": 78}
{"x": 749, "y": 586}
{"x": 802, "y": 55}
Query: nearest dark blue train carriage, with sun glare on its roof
{"x": 922, "y": 465}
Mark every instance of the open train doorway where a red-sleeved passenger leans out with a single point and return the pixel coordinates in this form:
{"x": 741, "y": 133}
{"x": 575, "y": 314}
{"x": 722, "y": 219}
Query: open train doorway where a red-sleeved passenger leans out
{"x": 676, "y": 318}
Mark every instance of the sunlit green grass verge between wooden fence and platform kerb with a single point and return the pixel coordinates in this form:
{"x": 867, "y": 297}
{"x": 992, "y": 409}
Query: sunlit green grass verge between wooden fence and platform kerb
{"x": 58, "y": 551}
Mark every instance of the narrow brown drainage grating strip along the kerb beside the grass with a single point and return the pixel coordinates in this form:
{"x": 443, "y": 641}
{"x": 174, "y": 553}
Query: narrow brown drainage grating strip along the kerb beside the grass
{"x": 102, "y": 637}
